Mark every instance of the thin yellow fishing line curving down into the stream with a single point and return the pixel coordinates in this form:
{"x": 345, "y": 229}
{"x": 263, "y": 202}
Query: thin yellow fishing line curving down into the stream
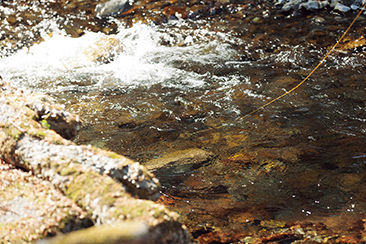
{"x": 307, "y": 77}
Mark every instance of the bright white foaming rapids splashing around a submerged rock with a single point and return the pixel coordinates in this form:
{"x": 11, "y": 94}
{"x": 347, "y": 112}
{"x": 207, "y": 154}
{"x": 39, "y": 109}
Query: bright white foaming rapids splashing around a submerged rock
{"x": 143, "y": 61}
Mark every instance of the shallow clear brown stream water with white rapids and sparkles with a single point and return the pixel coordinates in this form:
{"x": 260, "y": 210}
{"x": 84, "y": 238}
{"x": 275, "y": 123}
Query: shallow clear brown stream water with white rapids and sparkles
{"x": 148, "y": 90}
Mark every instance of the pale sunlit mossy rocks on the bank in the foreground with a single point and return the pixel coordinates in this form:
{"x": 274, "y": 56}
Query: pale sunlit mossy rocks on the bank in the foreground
{"x": 64, "y": 187}
